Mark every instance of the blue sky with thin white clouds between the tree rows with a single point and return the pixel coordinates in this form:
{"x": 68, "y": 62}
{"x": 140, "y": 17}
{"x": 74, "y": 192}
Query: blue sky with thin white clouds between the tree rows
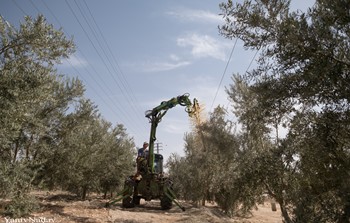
{"x": 132, "y": 55}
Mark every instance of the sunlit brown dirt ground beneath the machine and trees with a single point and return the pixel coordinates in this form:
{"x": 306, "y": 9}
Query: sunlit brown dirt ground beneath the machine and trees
{"x": 65, "y": 208}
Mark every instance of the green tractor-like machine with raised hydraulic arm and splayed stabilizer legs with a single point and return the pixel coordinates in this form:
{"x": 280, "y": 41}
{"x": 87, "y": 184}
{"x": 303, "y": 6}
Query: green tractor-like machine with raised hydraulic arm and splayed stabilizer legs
{"x": 149, "y": 182}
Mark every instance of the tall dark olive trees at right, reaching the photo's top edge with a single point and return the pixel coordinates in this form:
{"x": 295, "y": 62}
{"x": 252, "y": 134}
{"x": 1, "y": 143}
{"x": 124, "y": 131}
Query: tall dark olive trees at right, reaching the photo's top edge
{"x": 301, "y": 84}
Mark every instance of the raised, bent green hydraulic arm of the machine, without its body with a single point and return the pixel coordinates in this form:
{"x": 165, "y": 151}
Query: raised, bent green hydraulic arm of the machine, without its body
{"x": 155, "y": 116}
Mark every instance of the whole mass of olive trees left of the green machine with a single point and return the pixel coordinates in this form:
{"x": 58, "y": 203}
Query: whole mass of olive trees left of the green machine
{"x": 49, "y": 135}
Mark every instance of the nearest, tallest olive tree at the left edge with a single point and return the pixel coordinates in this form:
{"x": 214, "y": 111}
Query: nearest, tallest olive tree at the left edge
{"x": 33, "y": 98}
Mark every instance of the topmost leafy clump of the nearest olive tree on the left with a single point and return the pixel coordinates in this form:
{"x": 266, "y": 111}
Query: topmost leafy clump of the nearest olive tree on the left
{"x": 35, "y": 42}
